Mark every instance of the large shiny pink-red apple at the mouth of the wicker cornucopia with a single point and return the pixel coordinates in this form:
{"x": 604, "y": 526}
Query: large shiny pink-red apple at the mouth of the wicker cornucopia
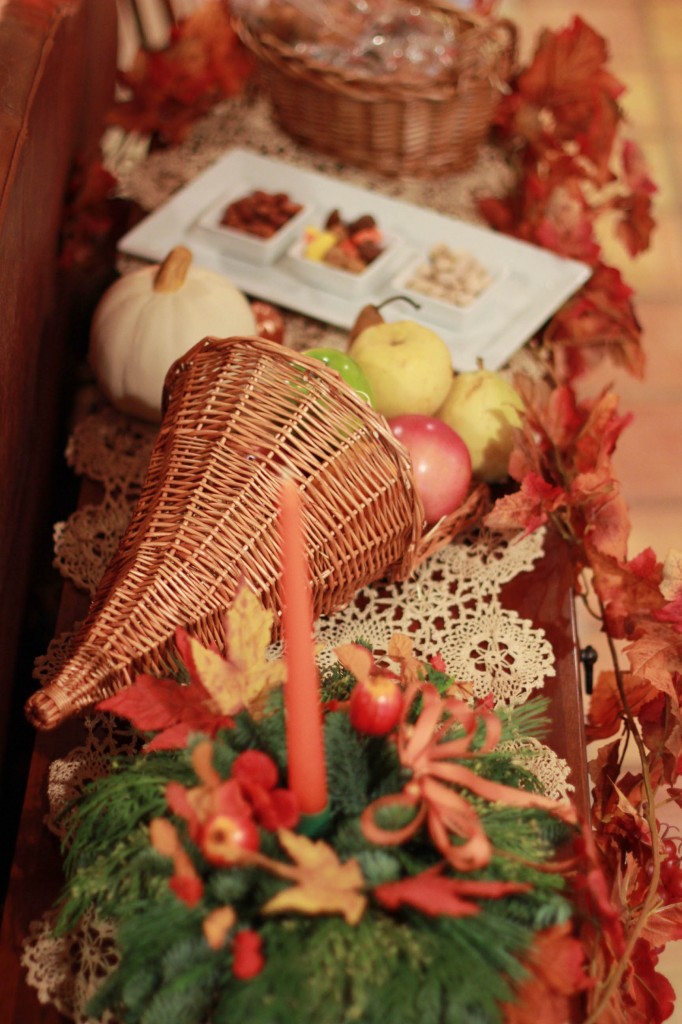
{"x": 441, "y": 461}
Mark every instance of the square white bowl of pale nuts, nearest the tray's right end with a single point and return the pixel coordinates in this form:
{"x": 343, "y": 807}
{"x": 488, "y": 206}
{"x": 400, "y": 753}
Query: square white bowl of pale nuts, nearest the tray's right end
{"x": 449, "y": 285}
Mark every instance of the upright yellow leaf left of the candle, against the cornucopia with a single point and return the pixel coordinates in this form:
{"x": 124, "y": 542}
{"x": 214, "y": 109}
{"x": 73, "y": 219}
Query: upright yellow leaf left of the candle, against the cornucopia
{"x": 246, "y": 675}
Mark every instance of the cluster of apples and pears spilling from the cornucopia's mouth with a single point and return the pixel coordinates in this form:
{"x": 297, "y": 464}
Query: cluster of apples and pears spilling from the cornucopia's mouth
{"x": 458, "y": 429}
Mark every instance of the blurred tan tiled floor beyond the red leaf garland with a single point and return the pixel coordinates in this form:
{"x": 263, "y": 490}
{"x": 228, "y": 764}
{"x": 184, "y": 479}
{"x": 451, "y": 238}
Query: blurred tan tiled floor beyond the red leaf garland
{"x": 646, "y": 45}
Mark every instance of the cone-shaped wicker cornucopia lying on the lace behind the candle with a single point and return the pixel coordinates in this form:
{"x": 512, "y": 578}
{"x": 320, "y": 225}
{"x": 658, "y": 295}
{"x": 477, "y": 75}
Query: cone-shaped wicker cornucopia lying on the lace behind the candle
{"x": 240, "y": 413}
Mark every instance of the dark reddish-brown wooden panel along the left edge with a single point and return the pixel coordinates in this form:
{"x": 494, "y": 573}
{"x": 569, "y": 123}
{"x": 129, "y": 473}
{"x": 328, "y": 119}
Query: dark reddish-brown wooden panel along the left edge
{"x": 58, "y": 64}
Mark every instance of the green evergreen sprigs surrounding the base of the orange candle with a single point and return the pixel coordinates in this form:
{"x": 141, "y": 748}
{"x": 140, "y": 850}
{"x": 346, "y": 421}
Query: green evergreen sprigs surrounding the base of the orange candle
{"x": 402, "y": 967}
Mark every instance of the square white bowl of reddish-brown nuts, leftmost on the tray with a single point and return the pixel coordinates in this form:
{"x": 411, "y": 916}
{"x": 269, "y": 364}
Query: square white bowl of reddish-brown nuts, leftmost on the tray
{"x": 252, "y": 225}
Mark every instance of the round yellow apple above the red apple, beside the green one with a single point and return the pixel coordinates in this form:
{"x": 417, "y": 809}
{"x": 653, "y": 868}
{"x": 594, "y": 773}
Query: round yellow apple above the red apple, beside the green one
{"x": 409, "y": 367}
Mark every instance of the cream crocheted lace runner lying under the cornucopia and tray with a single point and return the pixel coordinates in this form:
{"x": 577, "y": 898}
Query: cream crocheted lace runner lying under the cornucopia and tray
{"x": 452, "y": 606}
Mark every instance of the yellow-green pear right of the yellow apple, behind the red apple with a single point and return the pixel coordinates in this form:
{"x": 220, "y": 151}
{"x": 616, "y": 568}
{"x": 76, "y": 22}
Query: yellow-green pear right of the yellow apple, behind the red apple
{"x": 484, "y": 409}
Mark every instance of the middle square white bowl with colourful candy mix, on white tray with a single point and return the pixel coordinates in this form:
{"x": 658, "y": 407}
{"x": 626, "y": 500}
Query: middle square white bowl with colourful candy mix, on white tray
{"x": 346, "y": 258}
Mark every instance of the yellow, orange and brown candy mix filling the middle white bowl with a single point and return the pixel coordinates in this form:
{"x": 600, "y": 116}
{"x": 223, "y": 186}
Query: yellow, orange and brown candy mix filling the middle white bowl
{"x": 346, "y": 245}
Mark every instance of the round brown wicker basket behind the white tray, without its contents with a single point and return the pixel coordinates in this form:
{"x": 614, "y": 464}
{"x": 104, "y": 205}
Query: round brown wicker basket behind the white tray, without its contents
{"x": 377, "y": 123}
